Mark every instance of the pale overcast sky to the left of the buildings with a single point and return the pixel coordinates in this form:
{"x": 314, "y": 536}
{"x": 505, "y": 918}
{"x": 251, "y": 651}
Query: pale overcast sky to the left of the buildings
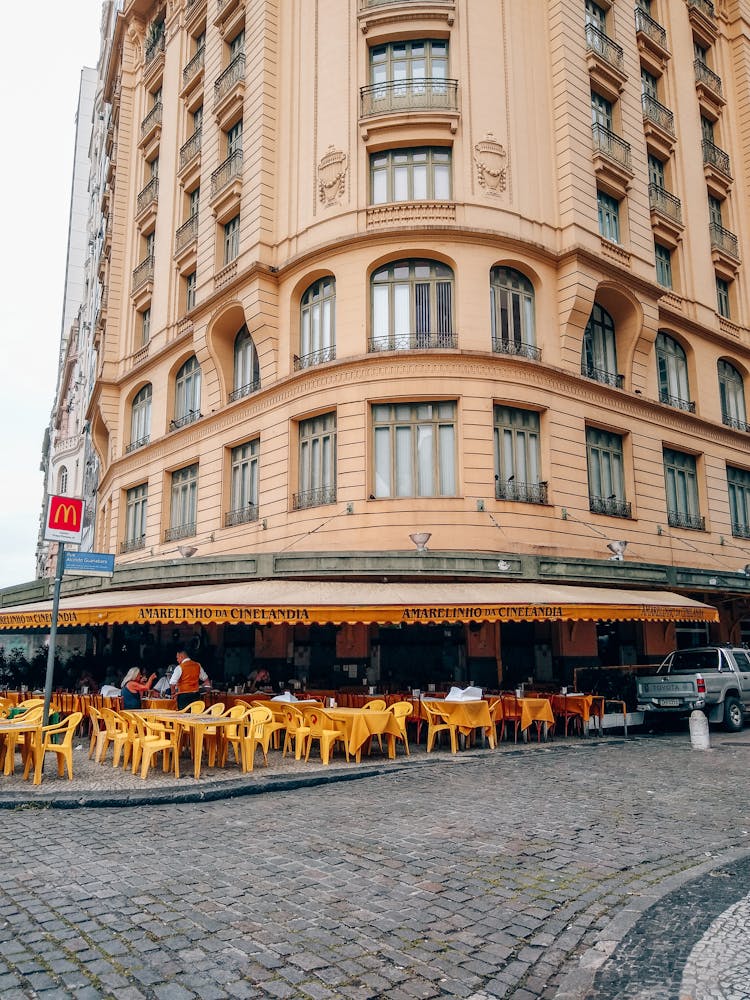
{"x": 39, "y": 107}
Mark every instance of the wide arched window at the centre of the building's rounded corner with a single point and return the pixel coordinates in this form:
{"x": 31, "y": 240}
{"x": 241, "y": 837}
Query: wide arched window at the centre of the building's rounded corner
{"x": 412, "y": 306}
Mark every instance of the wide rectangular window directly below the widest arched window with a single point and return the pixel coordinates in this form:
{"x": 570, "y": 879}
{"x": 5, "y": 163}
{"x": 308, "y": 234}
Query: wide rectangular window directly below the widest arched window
{"x": 415, "y": 449}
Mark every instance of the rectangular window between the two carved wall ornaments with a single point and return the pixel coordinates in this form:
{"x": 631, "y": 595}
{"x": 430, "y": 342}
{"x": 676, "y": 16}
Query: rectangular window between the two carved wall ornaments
{"x": 422, "y": 174}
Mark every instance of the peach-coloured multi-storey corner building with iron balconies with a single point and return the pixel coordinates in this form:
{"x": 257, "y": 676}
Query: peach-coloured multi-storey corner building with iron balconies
{"x": 447, "y": 293}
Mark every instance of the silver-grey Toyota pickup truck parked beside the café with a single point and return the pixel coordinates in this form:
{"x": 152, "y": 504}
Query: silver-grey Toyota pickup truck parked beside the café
{"x": 714, "y": 679}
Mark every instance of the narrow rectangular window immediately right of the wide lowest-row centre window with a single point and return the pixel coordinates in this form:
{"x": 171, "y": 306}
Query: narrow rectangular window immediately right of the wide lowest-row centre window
{"x": 517, "y": 451}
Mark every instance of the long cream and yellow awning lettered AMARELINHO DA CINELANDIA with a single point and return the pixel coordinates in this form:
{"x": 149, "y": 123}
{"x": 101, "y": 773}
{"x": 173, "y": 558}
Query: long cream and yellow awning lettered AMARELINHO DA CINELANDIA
{"x": 301, "y": 602}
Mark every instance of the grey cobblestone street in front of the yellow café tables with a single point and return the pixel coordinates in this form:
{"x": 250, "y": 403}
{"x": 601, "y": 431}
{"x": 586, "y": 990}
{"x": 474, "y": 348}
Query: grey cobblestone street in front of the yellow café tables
{"x": 580, "y": 870}
